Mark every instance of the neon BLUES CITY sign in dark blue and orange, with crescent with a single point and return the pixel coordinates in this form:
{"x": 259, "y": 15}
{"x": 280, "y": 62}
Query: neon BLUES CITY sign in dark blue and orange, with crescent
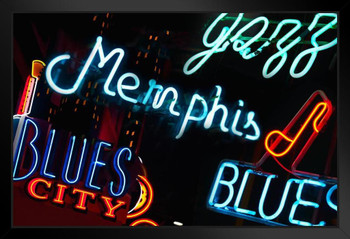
{"x": 45, "y": 185}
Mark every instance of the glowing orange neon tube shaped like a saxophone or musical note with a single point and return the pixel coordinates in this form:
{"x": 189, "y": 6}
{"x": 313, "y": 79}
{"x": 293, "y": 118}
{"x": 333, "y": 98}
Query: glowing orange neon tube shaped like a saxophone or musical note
{"x": 292, "y": 141}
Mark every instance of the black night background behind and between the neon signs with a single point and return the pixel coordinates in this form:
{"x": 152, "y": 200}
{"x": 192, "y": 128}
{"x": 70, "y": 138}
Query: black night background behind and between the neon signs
{"x": 181, "y": 170}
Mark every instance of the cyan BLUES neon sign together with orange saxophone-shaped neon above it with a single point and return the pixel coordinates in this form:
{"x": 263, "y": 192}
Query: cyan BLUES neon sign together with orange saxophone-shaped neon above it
{"x": 231, "y": 179}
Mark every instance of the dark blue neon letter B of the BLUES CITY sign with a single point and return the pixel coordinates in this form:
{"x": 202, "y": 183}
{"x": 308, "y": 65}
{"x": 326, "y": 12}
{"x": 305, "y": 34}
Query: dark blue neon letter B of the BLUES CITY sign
{"x": 20, "y": 148}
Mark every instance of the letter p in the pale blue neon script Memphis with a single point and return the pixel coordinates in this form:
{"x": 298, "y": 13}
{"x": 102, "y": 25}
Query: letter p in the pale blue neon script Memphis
{"x": 188, "y": 115}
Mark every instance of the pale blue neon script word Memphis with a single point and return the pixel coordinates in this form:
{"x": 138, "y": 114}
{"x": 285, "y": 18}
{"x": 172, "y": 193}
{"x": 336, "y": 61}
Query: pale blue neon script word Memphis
{"x": 243, "y": 124}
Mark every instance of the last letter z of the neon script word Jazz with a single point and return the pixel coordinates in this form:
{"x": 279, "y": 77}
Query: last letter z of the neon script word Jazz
{"x": 313, "y": 51}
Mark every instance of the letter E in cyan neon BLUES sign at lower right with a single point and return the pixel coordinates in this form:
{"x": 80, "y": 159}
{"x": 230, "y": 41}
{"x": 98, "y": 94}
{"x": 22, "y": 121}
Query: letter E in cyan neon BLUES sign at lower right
{"x": 304, "y": 203}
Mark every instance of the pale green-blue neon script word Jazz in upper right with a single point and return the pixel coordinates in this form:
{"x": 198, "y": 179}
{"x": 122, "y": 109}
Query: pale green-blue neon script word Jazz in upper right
{"x": 226, "y": 38}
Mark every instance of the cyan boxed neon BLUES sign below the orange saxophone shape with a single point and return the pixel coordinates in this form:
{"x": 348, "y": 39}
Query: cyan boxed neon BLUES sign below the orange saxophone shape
{"x": 226, "y": 196}
